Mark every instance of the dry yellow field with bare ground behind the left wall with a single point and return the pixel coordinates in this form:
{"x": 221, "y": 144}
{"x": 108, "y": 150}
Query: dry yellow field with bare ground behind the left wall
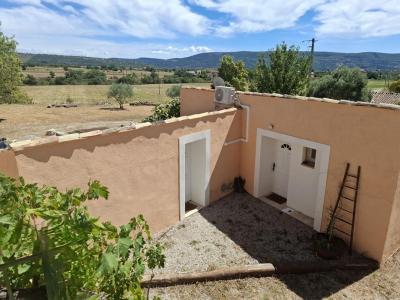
{"x": 94, "y": 109}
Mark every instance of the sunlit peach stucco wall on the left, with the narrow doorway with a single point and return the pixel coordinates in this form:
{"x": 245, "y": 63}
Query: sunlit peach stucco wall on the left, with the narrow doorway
{"x": 139, "y": 166}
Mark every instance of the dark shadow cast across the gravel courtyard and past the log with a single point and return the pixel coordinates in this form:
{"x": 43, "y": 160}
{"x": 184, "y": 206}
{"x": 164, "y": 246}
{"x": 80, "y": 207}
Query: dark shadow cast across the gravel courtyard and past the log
{"x": 270, "y": 236}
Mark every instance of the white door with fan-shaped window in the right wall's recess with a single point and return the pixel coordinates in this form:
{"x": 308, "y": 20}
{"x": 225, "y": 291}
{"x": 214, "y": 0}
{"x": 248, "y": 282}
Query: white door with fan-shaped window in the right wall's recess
{"x": 281, "y": 169}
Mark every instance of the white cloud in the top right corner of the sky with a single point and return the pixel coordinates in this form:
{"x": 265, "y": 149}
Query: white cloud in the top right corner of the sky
{"x": 361, "y": 18}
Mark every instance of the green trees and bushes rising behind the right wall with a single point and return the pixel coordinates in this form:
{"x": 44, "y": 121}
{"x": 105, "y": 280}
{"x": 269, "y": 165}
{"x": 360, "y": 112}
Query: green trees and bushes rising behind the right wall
{"x": 290, "y": 72}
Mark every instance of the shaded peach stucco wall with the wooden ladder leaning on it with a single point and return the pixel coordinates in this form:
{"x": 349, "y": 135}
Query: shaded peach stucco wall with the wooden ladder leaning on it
{"x": 360, "y": 135}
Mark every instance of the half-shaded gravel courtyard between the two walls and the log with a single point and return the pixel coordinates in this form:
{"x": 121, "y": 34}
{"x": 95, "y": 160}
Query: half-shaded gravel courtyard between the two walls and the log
{"x": 236, "y": 230}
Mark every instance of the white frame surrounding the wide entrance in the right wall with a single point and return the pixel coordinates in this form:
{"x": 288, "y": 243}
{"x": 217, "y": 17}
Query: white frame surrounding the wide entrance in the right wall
{"x": 323, "y": 171}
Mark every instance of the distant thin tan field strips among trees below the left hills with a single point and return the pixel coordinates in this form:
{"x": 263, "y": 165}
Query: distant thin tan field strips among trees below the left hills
{"x": 43, "y": 72}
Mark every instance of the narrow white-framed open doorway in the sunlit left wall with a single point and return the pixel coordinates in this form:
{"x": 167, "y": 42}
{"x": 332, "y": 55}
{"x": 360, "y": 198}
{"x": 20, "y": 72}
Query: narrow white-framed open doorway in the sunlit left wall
{"x": 194, "y": 172}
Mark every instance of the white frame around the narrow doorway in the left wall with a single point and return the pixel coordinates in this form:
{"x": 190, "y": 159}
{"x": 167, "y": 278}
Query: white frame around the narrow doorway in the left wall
{"x": 183, "y": 141}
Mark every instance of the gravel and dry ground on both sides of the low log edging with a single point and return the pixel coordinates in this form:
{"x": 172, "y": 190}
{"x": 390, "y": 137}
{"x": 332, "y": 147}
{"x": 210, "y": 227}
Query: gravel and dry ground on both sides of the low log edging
{"x": 241, "y": 230}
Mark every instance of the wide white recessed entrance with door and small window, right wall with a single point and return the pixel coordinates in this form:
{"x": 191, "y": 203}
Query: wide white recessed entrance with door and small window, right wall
{"x": 290, "y": 174}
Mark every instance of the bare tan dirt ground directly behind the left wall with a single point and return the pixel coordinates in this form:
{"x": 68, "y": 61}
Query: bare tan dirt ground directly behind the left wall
{"x": 18, "y": 122}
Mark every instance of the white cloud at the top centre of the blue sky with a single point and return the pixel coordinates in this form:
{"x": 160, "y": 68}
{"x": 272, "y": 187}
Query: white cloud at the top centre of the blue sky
{"x": 258, "y": 15}
